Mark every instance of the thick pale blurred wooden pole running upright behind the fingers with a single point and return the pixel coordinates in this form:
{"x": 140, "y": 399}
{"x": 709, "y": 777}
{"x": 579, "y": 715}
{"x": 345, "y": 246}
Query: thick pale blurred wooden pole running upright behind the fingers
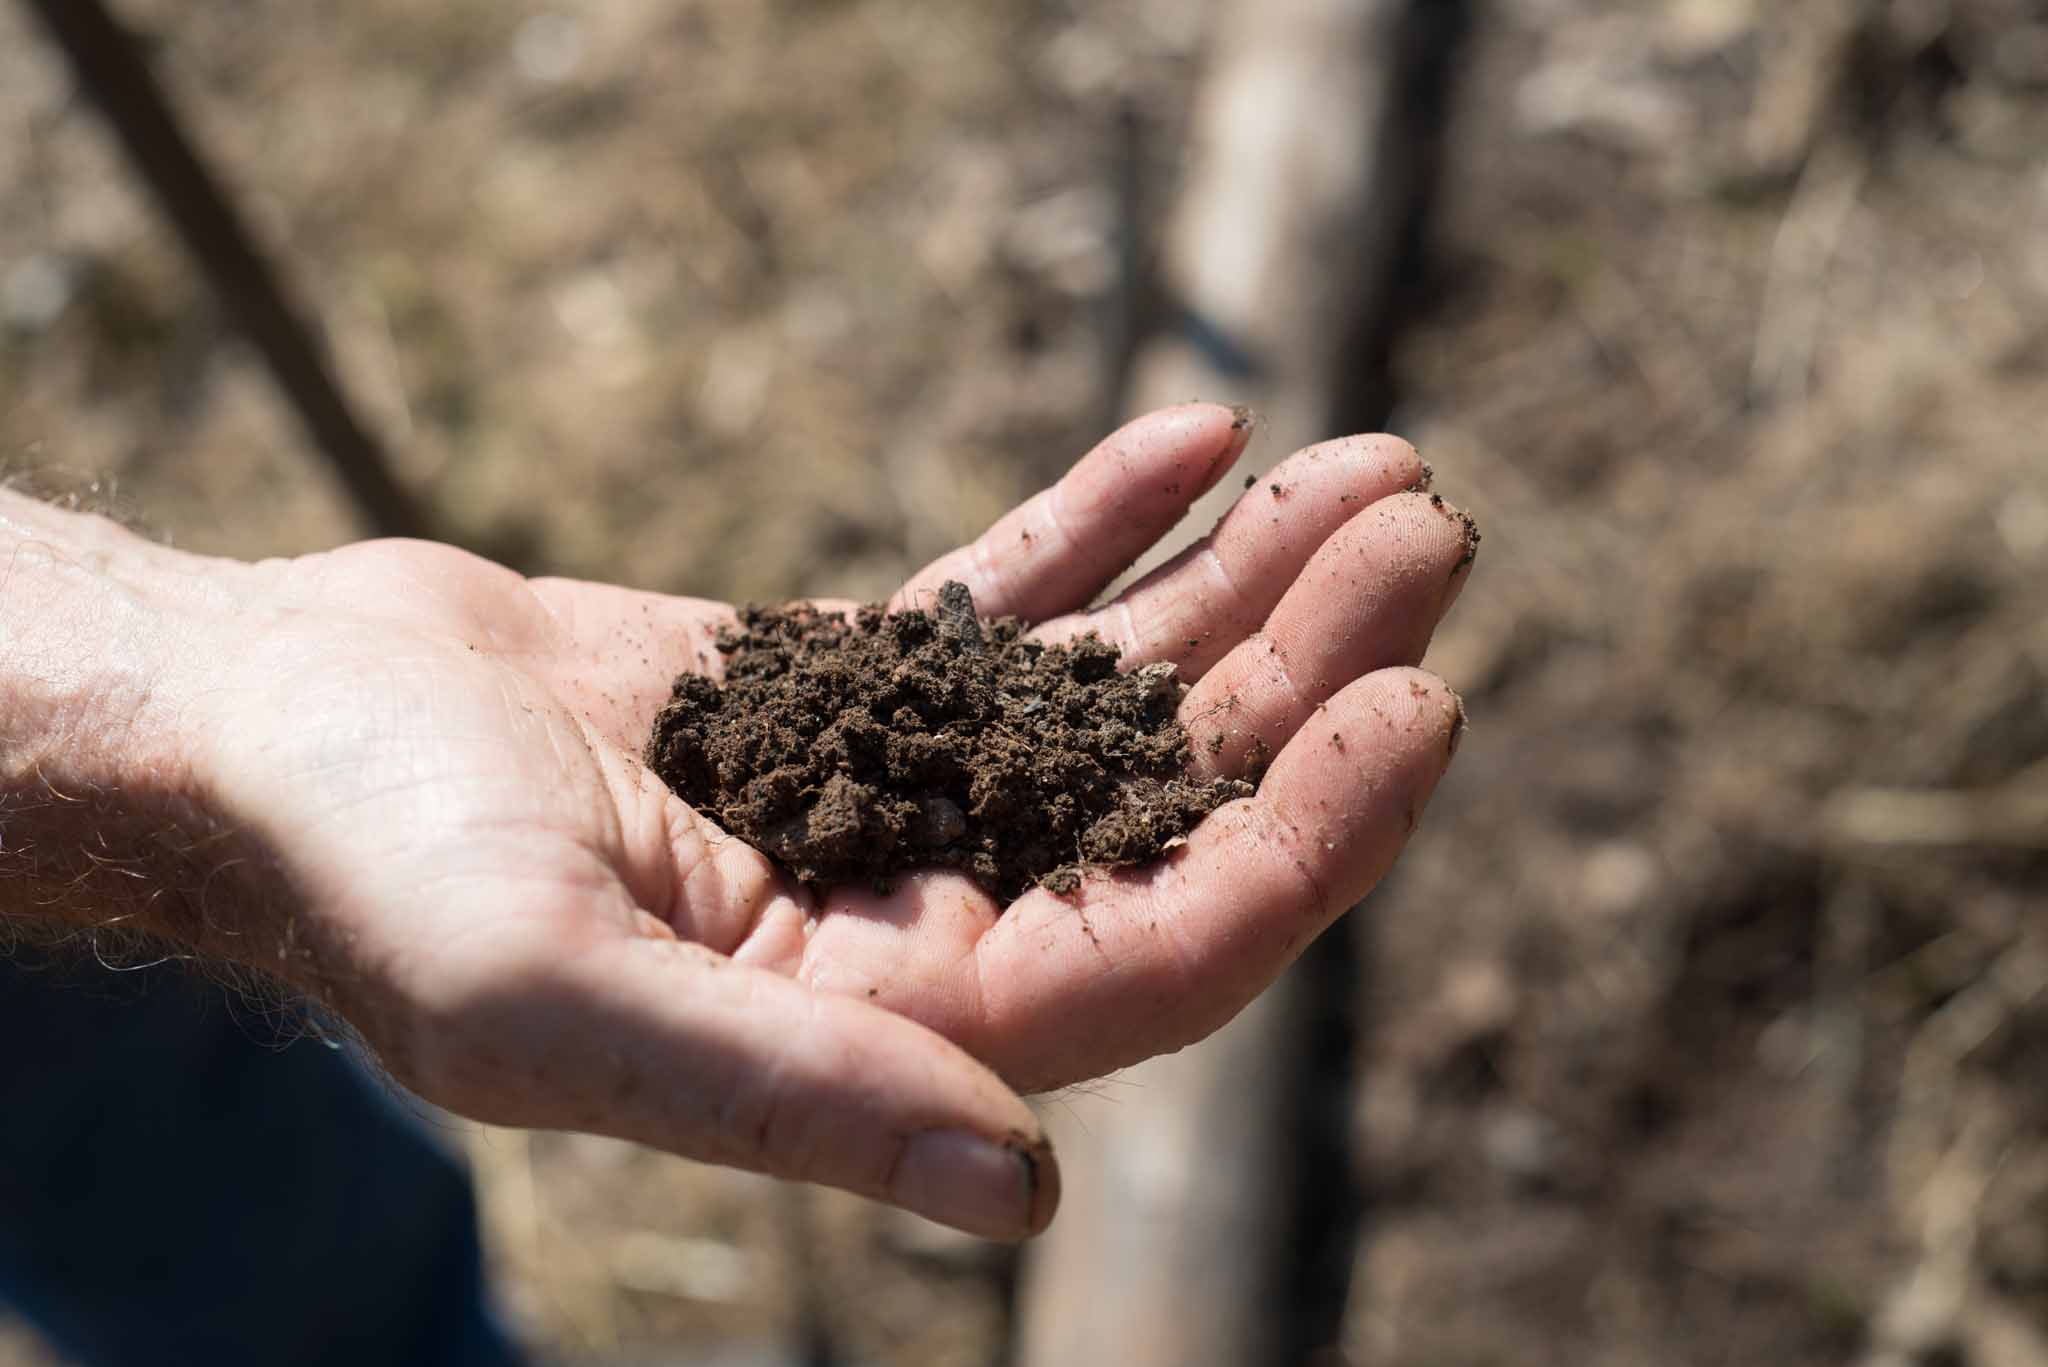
{"x": 1181, "y": 1243}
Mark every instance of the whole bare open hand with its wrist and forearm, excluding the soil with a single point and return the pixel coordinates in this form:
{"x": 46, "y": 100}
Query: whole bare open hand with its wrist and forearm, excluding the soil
{"x": 407, "y": 782}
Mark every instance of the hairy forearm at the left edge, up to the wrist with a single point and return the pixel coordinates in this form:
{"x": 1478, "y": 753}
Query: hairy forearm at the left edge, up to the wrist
{"x": 105, "y": 821}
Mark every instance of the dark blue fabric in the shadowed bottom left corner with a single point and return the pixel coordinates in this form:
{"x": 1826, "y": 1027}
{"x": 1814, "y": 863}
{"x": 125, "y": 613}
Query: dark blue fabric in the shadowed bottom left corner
{"x": 179, "y": 1186}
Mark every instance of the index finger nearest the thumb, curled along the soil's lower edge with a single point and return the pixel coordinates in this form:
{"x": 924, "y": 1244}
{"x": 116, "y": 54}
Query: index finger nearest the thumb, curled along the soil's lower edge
{"x": 1152, "y": 960}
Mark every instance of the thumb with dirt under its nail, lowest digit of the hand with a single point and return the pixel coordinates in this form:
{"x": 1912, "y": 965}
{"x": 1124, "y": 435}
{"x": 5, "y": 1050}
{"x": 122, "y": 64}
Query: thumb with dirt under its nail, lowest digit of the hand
{"x": 675, "y": 1046}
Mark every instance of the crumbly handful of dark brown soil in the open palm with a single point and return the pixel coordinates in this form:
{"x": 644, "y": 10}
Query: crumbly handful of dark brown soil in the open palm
{"x": 853, "y": 751}
